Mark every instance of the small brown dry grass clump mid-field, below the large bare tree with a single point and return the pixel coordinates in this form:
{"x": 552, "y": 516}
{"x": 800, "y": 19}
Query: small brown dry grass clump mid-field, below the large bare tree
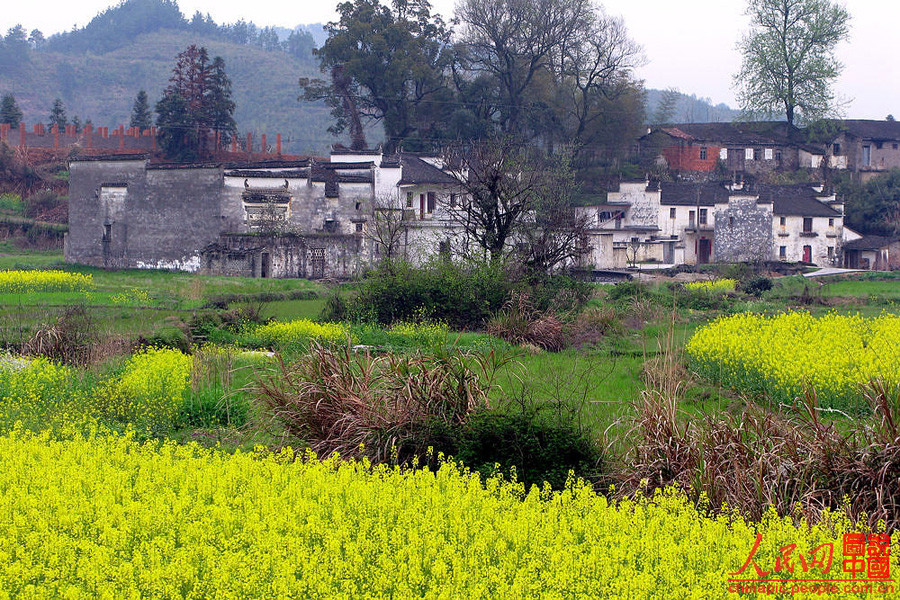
{"x": 519, "y": 322}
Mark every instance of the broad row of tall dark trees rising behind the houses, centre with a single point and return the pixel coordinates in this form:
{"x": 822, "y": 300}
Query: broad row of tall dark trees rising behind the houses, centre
{"x": 549, "y": 72}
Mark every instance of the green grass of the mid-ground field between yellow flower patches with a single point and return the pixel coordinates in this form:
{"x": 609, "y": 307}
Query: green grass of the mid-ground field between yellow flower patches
{"x": 598, "y": 384}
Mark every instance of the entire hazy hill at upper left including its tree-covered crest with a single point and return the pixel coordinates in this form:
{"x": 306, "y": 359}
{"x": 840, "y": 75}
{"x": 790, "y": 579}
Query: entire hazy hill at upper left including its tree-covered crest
{"x": 98, "y": 70}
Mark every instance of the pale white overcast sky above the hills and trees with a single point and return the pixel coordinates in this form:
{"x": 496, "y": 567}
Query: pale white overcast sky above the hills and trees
{"x": 688, "y": 45}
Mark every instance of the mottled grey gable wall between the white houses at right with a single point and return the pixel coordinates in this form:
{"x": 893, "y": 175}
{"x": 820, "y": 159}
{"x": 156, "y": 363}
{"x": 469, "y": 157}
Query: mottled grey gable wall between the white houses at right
{"x": 743, "y": 230}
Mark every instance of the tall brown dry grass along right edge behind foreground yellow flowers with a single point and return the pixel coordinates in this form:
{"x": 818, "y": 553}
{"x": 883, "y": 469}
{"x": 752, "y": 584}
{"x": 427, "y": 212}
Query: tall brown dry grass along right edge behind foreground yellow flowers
{"x": 760, "y": 458}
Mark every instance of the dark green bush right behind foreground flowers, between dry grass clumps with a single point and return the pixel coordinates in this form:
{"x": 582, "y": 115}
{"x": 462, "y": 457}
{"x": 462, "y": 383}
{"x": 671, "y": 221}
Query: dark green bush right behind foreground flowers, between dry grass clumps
{"x": 536, "y": 449}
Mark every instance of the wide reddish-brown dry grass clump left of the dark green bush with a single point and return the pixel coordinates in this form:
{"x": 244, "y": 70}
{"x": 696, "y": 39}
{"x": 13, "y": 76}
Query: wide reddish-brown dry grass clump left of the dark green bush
{"x": 390, "y": 407}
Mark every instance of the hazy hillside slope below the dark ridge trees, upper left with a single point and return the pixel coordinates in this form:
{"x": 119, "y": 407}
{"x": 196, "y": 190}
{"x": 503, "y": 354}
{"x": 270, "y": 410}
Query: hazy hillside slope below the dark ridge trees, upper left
{"x": 102, "y": 87}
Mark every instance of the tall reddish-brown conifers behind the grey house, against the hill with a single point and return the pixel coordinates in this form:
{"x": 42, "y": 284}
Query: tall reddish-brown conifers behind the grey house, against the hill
{"x": 196, "y": 105}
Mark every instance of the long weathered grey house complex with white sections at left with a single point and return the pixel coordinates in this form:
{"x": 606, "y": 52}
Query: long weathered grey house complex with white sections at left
{"x": 273, "y": 218}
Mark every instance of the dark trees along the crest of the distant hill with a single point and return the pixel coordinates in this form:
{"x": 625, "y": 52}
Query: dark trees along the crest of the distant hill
{"x": 118, "y": 27}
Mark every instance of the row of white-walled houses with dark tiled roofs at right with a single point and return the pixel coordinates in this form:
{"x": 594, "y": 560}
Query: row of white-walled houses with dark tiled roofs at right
{"x": 698, "y": 223}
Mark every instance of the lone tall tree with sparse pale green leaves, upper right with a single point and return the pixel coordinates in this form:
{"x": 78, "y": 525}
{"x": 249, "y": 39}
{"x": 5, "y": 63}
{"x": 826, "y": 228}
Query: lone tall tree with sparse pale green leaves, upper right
{"x": 788, "y": 58}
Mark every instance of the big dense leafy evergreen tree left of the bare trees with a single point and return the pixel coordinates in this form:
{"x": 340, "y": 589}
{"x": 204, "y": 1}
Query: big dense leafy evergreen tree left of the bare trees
{"x": 393, "y": 59}
